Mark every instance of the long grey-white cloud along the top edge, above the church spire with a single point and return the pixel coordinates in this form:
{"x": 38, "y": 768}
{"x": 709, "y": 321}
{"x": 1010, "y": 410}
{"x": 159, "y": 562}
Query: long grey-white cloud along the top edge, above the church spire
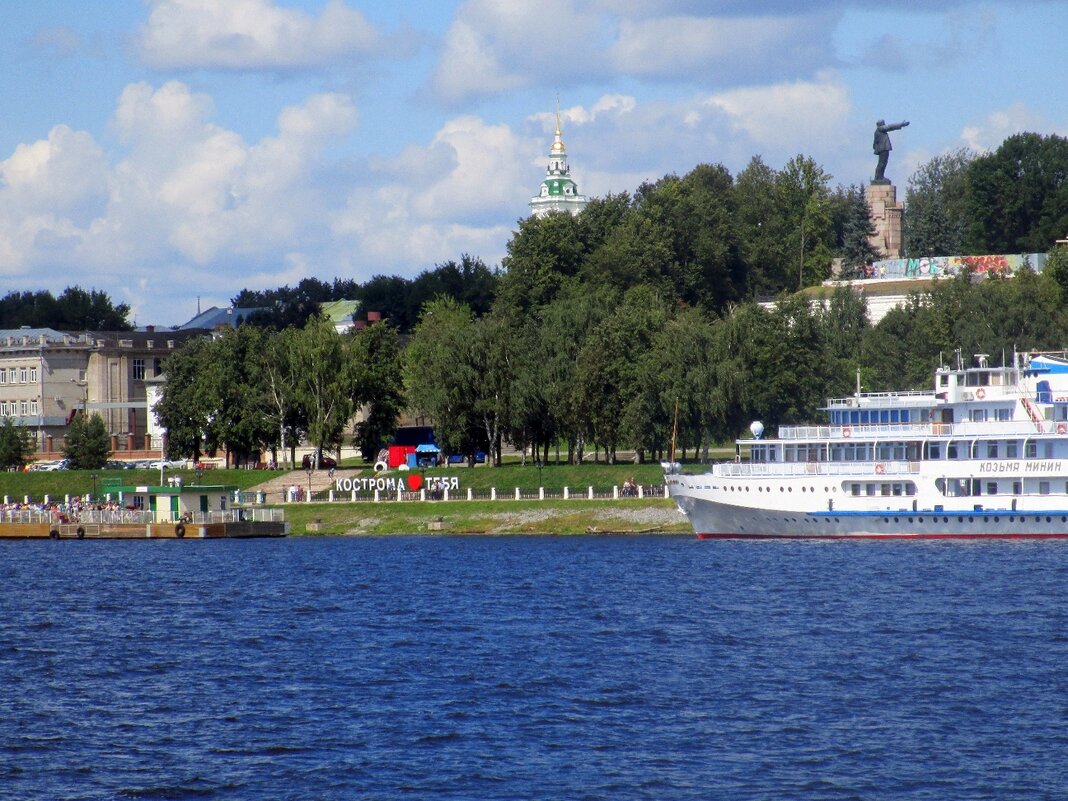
{"x": 494, "y": 48}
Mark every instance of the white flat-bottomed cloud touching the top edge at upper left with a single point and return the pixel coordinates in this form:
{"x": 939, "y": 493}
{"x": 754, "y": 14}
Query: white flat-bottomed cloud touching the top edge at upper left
{"x": 252, "y": 35}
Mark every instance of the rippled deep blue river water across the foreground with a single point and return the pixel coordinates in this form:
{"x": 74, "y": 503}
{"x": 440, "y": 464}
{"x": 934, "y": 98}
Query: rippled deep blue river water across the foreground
{"x": 542, "y": 668}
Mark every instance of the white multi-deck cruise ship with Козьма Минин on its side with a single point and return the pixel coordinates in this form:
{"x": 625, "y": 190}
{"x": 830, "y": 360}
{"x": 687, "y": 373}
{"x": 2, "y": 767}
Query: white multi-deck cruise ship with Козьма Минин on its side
{"x": 982, "y": 456}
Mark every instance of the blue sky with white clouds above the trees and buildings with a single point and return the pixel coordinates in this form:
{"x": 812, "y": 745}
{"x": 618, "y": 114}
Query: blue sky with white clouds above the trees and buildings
{"x": 169, "y": 151}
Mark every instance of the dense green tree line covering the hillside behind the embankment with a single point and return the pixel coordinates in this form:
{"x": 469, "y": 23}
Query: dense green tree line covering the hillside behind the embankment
{"x": 635, "y": 323}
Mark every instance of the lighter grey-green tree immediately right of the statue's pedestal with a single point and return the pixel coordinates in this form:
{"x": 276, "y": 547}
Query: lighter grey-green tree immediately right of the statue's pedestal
{"x": 937, "y": 217}
